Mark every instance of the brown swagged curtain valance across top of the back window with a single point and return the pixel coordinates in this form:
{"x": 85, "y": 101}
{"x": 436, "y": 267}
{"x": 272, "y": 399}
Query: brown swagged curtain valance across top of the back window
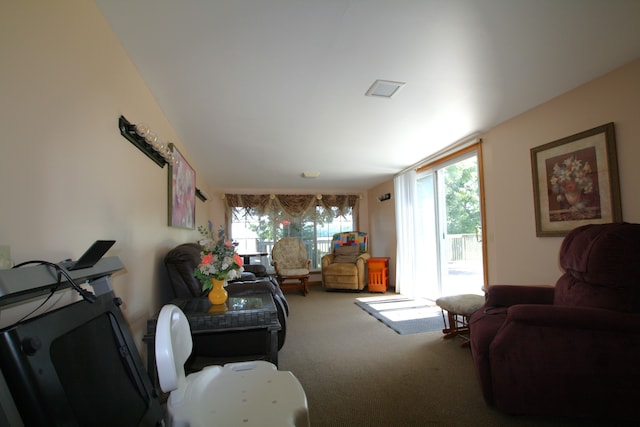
{"x": 294, "y": 205}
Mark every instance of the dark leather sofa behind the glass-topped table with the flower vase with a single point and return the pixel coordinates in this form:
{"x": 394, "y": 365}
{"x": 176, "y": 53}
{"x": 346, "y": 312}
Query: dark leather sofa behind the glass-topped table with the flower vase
{"x": 180, "y": 263}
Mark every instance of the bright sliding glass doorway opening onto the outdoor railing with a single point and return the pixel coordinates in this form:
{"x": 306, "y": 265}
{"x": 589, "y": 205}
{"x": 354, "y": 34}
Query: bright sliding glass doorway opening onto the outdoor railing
{"x": 449, "y": 223}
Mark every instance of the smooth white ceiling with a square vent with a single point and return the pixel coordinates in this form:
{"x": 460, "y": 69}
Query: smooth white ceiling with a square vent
{"x": 261, "y": 90}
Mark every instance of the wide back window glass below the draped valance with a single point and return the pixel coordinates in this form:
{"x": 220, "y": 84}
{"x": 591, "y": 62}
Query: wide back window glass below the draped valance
{"x": 257, "y": 233}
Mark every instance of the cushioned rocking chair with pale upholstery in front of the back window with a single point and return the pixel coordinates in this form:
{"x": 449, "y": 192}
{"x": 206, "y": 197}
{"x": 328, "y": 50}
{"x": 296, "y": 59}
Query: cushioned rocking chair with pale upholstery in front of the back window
{"x": 291, "y": 262}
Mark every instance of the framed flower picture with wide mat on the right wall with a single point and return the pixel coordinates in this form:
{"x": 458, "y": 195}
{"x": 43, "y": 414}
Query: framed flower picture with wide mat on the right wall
{"x": 575, "y": 181}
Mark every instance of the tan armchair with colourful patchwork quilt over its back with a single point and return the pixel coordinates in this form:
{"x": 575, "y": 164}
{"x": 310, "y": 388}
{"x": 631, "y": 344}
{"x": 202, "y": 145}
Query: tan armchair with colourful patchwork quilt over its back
{"x": 345, "y": 266}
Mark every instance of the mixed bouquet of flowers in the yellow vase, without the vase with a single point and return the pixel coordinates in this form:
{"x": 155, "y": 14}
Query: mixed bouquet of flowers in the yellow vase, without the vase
{"x": 218, "y": 257}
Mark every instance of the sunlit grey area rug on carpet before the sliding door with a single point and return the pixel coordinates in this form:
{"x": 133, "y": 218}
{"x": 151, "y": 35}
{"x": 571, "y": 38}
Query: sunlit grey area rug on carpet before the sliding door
{"x": 403, "y": 315}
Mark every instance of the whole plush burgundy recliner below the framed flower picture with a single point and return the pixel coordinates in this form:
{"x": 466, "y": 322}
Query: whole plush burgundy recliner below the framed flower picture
{"x": 573, "y": 349}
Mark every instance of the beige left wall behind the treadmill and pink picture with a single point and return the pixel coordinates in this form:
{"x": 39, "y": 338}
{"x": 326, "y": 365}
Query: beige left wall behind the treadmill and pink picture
{"x": 68, "y": 176}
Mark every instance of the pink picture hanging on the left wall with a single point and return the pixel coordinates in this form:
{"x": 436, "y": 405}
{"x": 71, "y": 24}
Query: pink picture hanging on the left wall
{"x": 182, "y": 192}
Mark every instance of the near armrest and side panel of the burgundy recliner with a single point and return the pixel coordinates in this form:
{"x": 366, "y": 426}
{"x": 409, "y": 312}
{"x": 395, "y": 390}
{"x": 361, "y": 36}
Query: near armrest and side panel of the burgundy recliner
{"x": 581, "y": 357}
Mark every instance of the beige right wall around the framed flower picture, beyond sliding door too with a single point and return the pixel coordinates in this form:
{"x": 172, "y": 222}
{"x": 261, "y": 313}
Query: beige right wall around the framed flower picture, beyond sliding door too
{"x": 515, "y": 254}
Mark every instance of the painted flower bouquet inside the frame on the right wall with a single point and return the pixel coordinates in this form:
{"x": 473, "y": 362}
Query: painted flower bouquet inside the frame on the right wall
{"x": 571, "y": 179}
